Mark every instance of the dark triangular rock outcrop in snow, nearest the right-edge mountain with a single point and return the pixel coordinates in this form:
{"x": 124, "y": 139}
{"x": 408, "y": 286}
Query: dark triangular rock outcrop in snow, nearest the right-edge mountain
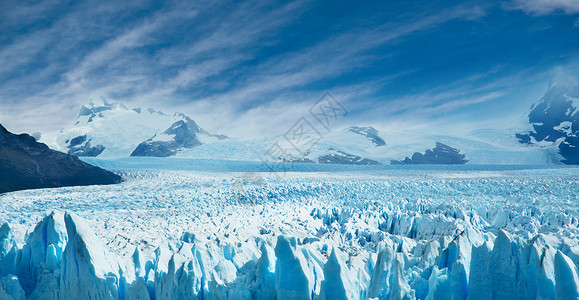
{"x": 440, "y": 154}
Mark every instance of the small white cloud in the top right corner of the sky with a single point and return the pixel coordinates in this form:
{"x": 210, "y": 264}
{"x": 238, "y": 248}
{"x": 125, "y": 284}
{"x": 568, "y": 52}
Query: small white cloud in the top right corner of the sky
{"x": 544, "y": 7}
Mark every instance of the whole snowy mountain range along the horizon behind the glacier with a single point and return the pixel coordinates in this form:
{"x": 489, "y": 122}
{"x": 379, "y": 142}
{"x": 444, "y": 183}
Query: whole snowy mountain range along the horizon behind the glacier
{"x": 108, "y": 129}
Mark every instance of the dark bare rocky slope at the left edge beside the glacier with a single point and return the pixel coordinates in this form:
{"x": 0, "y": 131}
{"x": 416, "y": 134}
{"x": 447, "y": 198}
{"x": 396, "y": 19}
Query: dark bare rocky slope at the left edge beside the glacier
{"x": 27, "y": 164}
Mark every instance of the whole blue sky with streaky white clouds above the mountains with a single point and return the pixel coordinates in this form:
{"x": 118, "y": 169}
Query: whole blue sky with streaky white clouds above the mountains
{"x": 252, "y": 68}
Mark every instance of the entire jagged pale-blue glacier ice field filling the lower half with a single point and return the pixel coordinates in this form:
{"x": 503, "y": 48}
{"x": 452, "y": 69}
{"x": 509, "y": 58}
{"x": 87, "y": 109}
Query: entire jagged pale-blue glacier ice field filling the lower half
{"x": 468, "y": 232}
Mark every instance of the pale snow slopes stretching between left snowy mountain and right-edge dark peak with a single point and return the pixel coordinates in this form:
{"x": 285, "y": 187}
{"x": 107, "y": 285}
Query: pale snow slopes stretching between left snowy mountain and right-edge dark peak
{"x": 482, "y": 146}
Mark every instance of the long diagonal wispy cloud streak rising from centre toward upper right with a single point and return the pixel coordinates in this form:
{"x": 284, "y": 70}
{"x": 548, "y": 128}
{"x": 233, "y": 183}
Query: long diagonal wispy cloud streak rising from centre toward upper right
{"x": 330, "y": 58}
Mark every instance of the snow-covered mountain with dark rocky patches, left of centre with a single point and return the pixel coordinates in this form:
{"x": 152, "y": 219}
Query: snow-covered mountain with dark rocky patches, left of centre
{"x": 109, "y": 129}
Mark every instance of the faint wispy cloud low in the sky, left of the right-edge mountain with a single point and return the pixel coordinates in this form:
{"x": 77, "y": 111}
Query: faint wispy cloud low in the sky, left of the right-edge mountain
{"x": 449, "y": 105}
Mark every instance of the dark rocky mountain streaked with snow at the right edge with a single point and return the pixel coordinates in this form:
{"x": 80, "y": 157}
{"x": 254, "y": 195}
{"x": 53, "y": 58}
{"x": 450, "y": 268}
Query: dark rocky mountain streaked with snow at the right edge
{"x": 556, "y": 122}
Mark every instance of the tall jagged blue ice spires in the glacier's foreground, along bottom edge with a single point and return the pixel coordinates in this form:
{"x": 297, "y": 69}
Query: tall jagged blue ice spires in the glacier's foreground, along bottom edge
{"x": 63, "y": 259}
